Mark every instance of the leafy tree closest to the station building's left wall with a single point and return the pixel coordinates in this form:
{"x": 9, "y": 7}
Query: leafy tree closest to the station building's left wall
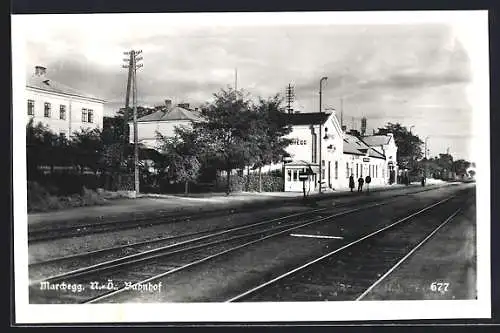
{"x": 270, "y": 129}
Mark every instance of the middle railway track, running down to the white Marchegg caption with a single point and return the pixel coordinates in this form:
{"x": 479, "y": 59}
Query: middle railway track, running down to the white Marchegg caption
{"x": 151, "y": 265}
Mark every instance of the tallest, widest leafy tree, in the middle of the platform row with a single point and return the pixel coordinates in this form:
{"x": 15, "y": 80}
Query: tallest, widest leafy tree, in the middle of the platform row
{"x": 227, "y": 131}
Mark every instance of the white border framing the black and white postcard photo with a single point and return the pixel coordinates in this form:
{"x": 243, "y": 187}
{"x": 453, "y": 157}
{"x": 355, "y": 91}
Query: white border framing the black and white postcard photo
{"x": 477, "y": 24}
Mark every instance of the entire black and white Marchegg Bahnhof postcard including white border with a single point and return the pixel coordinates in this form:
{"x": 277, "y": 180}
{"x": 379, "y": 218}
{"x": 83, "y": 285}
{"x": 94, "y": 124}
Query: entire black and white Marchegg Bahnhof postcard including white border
{"x": 251, "y": 167}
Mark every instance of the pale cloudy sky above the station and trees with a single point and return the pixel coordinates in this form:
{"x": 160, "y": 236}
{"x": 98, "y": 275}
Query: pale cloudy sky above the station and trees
{"x": 414, "y": 72}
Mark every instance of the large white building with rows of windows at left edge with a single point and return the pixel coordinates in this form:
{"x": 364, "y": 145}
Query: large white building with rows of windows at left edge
{"x": 63, "y": 109}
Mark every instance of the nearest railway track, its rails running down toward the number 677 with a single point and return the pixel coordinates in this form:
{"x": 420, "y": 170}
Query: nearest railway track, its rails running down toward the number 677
{"x": 353, "y": 270}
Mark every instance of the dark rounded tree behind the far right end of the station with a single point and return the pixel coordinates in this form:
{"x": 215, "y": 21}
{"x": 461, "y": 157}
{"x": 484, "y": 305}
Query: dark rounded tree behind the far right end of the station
{"x": 409, "y": 145}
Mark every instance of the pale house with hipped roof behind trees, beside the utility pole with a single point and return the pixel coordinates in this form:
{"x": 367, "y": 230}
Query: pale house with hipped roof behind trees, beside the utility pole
{"x": 163, "y": 121}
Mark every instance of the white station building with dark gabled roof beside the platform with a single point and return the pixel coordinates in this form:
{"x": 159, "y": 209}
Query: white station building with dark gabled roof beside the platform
{"x": 342, "y": 154}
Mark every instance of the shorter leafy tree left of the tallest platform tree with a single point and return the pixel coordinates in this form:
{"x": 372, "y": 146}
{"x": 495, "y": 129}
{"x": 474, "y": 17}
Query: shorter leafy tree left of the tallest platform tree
{"x": 180, "y": 156}
